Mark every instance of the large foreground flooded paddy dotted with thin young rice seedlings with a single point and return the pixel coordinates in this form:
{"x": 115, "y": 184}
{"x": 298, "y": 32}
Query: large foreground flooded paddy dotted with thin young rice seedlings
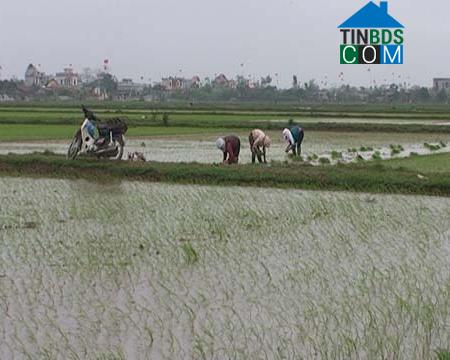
{"x": 137, "y": 271}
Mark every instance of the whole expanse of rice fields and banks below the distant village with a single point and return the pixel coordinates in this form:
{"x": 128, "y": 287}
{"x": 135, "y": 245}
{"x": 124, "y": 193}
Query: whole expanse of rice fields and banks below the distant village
{"x": 343, "y": 253}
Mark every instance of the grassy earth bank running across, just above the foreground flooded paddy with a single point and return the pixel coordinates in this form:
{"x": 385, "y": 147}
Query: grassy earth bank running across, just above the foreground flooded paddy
{"x": 409, "y": 176}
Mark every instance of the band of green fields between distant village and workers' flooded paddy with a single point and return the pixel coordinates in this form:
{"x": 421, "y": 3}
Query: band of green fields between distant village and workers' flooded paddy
{"x": 26, "y": 121}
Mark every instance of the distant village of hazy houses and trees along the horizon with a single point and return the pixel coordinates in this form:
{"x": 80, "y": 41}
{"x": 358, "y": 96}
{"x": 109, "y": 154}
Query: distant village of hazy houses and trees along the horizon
{"x": 102, "y": 85}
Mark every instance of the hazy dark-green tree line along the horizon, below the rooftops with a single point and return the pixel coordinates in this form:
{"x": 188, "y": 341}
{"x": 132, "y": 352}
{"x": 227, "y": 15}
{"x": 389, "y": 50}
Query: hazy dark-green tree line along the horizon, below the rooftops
{"x": 308, "y": 92}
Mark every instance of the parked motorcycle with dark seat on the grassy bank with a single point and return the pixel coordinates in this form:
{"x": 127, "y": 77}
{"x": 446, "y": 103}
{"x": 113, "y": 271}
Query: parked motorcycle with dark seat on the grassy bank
{"x": 99, "y": 138}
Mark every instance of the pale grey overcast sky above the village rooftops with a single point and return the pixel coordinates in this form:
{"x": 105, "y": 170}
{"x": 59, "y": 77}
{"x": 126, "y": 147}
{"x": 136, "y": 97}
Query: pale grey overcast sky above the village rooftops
{"x": 154, "y": 38}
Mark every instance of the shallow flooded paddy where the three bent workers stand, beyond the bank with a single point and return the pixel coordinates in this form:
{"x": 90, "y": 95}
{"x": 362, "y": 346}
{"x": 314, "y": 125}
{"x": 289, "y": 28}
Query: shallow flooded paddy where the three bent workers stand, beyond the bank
{"x": 201, "y": 147}
